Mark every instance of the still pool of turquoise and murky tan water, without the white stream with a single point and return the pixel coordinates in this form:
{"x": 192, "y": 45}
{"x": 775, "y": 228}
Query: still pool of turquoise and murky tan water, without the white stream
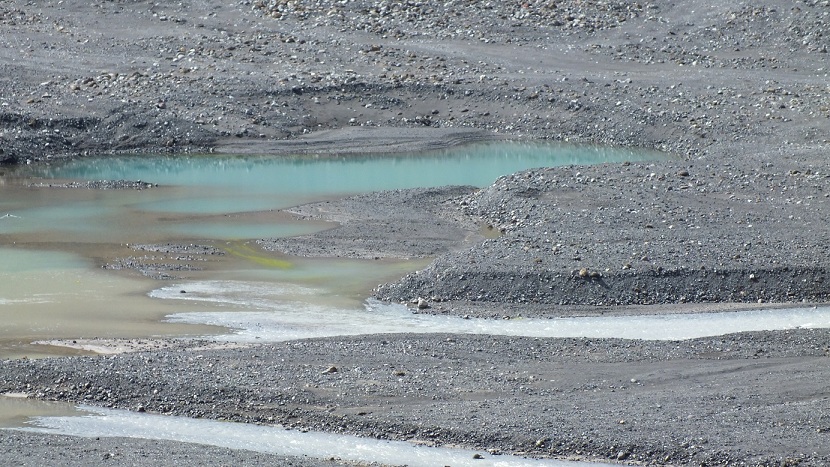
{"x": 57, "y": 289}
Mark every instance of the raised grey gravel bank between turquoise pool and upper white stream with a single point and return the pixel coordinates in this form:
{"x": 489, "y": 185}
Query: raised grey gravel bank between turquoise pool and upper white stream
{"x": 641, "y": 234}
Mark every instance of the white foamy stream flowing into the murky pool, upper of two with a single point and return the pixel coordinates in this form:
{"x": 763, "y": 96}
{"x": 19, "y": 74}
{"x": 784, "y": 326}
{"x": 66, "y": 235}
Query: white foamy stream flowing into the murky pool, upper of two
{"x": 269, "y": 313}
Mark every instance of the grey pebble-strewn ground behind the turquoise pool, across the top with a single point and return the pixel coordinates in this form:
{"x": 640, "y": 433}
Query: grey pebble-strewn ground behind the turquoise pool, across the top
{"x": 692, "y": 77}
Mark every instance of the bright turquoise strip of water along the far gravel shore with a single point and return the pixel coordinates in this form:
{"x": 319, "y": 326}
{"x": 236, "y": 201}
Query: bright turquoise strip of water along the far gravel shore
{"x": 252, "y": 183}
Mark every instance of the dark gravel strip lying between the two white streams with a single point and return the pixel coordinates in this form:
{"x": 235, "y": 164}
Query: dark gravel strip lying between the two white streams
{"x": 661, "y": 402}
